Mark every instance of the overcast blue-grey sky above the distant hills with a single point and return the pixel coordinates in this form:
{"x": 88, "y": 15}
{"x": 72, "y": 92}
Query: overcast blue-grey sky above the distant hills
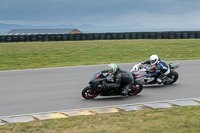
{"x": 155, "y": 13}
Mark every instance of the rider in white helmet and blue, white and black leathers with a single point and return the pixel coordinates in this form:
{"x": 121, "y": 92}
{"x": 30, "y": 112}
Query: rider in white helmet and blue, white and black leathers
{"x": 160, "y": 65}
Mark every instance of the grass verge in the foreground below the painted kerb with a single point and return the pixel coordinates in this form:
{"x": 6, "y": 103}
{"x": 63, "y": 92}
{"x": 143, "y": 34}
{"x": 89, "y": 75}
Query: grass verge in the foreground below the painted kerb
{"x": 174, "y": 120}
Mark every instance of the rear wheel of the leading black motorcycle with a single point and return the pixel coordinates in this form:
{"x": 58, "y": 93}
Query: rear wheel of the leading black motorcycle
{"x": 135, "y": 89}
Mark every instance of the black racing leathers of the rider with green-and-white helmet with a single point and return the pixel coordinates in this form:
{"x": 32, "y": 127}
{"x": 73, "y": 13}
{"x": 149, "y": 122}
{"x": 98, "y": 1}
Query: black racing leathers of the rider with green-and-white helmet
{"x": 121, "y": 77}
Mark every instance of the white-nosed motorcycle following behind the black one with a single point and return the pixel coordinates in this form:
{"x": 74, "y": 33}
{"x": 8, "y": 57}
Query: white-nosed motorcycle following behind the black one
{"x": 150, "y": 73}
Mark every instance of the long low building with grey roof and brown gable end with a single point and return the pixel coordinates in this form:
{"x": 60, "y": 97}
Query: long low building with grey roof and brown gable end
{"x": 42, "y": 31}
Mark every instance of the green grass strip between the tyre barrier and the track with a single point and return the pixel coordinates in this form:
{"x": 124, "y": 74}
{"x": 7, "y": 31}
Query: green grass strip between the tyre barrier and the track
{"x": 27, "y": 55}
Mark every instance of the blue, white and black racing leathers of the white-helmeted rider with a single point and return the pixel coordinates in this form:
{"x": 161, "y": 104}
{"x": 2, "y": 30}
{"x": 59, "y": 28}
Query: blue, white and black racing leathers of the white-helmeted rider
{"x": 162, "y": 68}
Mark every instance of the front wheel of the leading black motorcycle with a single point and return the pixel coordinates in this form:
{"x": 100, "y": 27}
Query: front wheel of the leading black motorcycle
{"x": 89, "y": 93}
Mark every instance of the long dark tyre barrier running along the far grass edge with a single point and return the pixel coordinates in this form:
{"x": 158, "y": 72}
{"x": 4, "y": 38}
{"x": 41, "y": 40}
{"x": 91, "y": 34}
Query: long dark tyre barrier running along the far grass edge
{"x": 101, "y": 36}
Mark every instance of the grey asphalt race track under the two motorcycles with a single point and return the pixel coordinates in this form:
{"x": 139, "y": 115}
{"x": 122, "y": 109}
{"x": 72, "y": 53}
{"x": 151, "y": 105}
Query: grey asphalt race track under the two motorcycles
{"x": 52, "y": 89}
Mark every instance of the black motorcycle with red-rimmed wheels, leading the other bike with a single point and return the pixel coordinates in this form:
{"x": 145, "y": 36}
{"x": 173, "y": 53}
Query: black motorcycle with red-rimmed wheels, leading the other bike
{"x": 100, "y": 79}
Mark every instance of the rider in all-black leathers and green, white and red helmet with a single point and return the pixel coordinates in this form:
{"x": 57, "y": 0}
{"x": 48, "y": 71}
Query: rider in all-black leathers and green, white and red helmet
{"x": 121, "y": 77}
